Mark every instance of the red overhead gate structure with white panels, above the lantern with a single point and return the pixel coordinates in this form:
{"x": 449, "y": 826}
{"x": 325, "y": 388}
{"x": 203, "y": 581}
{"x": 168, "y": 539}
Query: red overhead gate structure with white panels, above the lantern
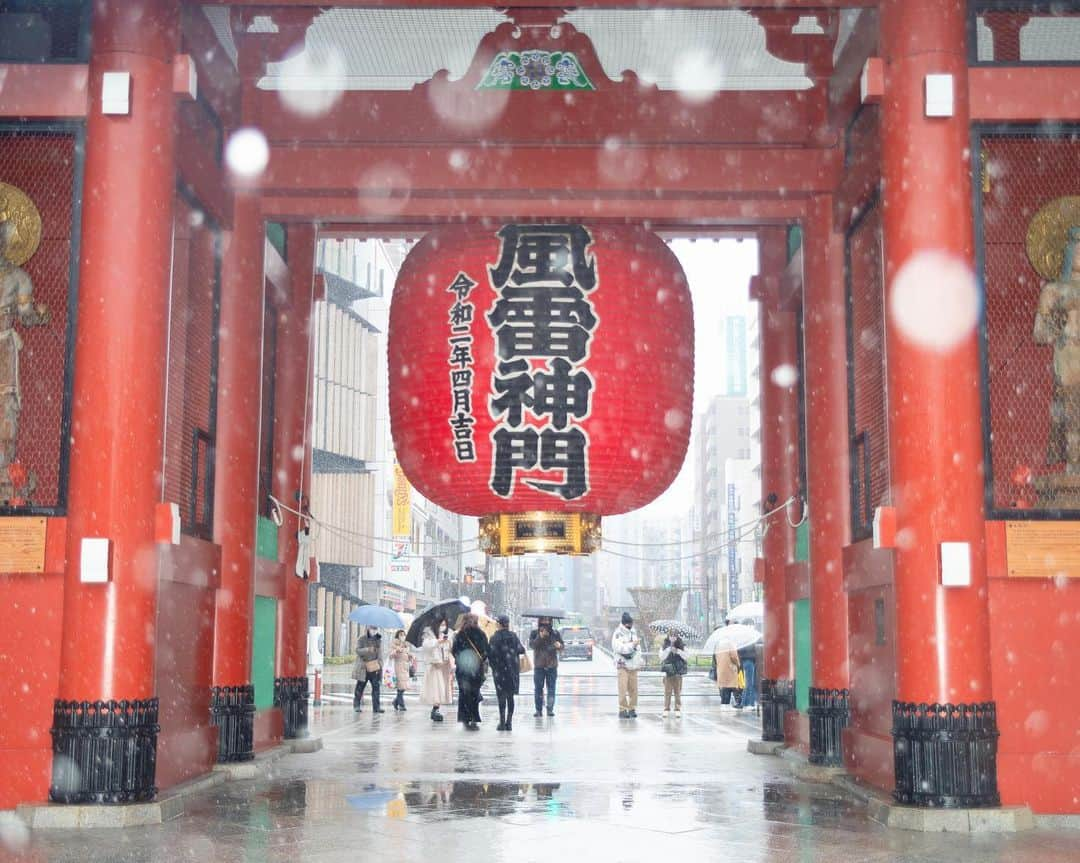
{"x": 701, "y": 114}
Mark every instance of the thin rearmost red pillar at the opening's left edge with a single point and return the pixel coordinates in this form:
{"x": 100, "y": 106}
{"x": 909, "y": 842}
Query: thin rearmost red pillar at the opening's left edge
{"x": 293, "y": 399}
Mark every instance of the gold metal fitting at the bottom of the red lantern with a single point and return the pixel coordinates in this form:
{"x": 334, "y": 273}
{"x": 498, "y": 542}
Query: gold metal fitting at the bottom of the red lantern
{"x": 505, "y": 535}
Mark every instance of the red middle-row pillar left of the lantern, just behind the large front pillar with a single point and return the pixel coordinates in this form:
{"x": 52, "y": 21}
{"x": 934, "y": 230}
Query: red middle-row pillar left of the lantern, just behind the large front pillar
{"x": 236, "y": 483}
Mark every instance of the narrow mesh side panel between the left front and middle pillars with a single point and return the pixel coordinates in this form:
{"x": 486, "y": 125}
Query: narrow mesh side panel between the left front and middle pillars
{"x": 193, "y": 369}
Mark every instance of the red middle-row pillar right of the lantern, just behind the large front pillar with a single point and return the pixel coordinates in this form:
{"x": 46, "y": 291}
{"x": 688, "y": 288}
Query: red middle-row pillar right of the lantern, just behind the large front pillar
{"x": 826, "y": 368}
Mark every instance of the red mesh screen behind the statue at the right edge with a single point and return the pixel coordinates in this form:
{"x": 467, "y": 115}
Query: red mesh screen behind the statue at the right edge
{"x": 1021, "y": 173}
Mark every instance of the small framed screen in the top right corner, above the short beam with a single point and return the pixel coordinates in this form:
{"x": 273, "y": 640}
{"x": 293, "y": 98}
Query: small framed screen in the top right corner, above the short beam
{"x": 1033, "y": 33}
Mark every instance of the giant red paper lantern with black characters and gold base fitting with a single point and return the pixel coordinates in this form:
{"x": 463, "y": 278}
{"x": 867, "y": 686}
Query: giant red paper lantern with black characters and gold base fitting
{"x": 542, "y": 376}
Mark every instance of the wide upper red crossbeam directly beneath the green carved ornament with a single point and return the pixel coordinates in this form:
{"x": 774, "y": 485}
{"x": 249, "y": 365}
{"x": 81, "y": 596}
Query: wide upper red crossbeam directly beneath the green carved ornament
{"x": 626, "y": 113}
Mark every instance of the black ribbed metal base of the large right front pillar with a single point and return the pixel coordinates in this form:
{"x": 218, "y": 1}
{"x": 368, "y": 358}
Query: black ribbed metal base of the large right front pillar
{"x": 947, "y": 756}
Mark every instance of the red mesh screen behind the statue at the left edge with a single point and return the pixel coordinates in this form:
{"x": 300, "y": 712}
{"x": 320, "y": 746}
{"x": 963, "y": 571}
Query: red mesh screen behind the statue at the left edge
{"x": 35, "y": 358}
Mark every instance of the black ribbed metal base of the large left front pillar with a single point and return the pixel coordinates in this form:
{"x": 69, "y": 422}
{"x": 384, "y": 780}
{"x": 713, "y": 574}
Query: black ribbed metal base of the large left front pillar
{"x": 104, "y": 752}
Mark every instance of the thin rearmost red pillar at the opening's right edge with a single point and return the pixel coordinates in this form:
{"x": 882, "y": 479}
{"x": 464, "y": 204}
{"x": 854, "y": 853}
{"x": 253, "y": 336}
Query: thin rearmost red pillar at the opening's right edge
{"x": 779, "y": 474}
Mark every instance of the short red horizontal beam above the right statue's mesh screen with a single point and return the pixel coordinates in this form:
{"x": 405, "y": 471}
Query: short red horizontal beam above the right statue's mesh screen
{"x": 1024, "y": 95}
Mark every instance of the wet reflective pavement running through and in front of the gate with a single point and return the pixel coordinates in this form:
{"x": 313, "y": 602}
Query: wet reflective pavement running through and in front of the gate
{"x": 583, "y": 785}
